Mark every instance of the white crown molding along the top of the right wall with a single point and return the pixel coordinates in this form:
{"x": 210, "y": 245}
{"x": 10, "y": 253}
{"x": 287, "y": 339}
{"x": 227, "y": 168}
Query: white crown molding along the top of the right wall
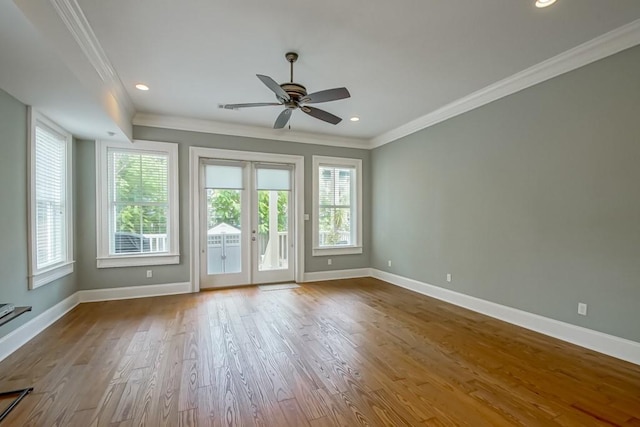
{"x": 605, "y": 45}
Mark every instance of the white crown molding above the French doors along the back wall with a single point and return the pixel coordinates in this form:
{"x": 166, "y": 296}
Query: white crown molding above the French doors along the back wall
{"x": 210, "y": 126}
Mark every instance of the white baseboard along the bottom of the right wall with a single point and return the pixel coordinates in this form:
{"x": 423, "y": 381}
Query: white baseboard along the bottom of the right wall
{"x": 603, "y": 343}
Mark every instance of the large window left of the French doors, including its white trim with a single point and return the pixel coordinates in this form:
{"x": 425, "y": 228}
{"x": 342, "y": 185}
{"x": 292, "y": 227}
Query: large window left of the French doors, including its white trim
{"x": 137, "y": 203}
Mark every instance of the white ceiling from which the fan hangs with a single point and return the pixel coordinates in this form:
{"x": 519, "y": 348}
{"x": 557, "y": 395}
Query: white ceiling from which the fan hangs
{"x": 400, "y": 60}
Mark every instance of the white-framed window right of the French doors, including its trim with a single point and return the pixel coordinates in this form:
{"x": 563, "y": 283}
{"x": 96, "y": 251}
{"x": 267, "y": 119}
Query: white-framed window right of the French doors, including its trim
{"x": 337, "y": 206}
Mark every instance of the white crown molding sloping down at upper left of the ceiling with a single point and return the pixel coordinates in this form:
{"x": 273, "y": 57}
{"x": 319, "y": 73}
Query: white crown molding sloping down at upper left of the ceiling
{"x": 78, "y": 26}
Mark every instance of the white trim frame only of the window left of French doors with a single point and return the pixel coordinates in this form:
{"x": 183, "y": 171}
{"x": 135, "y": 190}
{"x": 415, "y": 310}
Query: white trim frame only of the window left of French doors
{"x": 104, "y": 259}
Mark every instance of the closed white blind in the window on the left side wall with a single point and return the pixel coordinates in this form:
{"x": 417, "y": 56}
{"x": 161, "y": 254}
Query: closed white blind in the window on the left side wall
{"x": 50, "y": 188}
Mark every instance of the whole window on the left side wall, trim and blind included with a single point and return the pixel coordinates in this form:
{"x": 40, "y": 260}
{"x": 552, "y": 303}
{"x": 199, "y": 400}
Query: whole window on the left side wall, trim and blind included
{"x": 50, "y": 203}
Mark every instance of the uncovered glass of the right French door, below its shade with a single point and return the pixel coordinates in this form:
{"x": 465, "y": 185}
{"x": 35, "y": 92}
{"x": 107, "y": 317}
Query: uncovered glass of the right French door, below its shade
{"x": 273, "y": 230}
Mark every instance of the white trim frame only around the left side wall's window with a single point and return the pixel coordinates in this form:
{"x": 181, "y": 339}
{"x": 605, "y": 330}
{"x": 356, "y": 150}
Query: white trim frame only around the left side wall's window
{"x": 40, "y": 277}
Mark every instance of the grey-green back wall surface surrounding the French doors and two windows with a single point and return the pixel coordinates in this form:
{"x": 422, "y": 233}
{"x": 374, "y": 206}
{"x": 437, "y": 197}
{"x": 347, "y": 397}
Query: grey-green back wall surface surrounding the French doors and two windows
{"x": 92, "y": 277}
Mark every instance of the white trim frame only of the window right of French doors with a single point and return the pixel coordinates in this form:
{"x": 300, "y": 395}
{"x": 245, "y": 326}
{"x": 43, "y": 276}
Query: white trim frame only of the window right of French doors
{"x": 356, "y": 248}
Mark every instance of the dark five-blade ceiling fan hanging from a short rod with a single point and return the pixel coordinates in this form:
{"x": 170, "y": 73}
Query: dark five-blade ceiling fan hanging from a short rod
{"x": 293, "y": 95}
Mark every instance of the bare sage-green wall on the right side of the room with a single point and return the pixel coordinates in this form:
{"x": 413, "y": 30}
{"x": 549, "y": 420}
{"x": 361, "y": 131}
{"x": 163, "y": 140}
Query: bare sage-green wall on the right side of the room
{"x": 532, "y": 201}
